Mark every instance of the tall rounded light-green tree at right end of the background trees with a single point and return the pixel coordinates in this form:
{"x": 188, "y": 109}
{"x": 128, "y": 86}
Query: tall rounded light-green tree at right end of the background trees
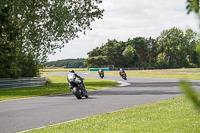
{"x": 177, "y": 46}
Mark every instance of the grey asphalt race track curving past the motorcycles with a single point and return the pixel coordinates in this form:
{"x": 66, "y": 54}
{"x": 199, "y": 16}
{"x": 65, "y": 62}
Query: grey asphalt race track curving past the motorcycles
{"x": 25, "y": 114}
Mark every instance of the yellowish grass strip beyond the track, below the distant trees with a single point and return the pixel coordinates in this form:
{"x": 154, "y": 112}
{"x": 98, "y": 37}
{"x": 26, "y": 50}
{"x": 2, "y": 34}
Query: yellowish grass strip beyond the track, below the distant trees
{"x": 189, "y": 73}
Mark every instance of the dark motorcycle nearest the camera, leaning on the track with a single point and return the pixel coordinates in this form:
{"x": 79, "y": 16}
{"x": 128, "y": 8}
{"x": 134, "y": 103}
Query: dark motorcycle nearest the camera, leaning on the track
{"x": 78, "y": 89}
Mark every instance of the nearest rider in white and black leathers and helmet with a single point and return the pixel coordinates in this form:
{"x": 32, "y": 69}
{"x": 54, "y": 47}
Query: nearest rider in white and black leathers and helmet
{"x": 71, "y": 77}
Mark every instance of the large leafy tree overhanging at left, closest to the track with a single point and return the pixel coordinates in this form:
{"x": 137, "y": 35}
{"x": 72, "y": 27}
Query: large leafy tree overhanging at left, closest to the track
{"x": 39, "y": 27}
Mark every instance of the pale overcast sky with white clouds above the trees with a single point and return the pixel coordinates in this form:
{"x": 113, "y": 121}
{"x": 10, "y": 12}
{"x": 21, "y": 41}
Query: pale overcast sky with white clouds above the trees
{"x": 125, "y": 19}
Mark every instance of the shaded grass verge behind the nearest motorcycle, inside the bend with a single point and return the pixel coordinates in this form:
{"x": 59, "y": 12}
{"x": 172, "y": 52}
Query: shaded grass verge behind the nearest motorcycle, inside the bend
{"x": 58, "y": 86}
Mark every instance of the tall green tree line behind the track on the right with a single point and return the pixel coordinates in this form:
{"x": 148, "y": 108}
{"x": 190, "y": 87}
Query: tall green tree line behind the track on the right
{"x": 173, "y": 48}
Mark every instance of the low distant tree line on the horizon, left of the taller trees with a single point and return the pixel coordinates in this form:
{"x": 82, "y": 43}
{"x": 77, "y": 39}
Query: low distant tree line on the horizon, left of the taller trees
{"x": 67, "y": 63}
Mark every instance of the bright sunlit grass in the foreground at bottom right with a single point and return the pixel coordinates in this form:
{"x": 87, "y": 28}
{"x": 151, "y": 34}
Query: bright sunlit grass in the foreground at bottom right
{"x": 174, "y": 115}
